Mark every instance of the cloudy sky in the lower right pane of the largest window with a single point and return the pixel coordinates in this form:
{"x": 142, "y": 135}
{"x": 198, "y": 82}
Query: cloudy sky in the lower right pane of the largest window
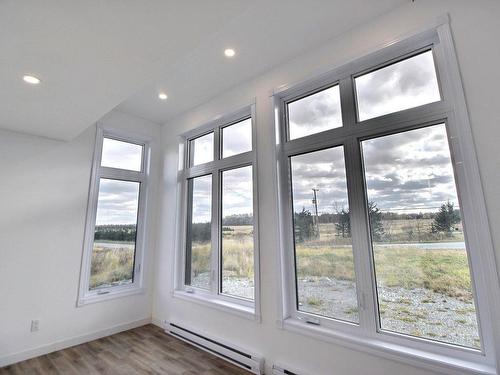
{"x": 410, "y": 171}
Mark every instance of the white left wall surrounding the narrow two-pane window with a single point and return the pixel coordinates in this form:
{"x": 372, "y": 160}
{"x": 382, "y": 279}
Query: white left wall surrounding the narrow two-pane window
{"x": 43, "y": 199}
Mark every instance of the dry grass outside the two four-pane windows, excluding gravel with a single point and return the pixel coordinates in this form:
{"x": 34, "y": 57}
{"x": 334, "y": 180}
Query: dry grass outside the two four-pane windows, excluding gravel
{"x": 440, "y": 270}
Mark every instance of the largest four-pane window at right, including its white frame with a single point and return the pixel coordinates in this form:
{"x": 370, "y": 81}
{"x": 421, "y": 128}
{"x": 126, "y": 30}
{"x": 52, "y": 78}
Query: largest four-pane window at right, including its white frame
{"x": 380, "y": 218}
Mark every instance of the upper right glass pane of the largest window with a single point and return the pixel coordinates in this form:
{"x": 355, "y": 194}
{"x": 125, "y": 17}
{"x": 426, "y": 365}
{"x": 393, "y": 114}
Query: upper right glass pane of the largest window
{"x": 405, "y": 84}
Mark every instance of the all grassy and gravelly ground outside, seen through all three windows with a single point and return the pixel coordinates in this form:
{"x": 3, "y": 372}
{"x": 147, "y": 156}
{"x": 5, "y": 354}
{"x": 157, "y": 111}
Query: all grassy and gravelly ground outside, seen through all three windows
{"x": 423, "y": 291}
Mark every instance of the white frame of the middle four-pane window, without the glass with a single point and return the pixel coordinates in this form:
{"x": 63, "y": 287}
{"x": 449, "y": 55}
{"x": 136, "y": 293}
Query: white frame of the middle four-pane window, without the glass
{"x": 214, "y": 297}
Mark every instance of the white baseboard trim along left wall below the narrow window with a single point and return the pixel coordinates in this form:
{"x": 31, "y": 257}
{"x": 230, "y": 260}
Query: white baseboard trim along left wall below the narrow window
{"x": 66, "y": 343}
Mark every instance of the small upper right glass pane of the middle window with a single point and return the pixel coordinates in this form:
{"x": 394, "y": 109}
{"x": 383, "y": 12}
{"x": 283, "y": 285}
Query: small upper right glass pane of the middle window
{"x": 237, "y": 138}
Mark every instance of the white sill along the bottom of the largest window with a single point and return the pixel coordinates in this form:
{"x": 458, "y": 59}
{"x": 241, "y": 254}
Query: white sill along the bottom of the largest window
{"x": 395, "y": 352}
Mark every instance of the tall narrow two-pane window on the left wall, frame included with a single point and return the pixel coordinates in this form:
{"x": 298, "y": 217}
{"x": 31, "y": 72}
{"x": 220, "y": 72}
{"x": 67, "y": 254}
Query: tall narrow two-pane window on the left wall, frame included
{"x": 115, "y": 222}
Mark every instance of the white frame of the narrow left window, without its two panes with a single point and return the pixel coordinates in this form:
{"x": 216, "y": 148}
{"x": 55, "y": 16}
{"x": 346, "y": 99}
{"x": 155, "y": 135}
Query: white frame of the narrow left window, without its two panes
{"x": 86, "y": 296}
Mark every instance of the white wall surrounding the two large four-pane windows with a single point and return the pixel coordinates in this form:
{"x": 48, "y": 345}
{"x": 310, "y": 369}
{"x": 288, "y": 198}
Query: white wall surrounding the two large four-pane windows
{"x": 476, "y": 29}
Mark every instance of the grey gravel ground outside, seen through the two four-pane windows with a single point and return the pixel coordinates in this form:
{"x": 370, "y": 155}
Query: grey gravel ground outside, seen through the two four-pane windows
{"x": 418, "y": 312}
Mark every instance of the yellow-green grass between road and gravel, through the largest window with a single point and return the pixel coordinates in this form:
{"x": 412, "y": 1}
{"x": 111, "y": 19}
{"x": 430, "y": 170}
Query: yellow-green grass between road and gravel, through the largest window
{"x": 444, "y": 271}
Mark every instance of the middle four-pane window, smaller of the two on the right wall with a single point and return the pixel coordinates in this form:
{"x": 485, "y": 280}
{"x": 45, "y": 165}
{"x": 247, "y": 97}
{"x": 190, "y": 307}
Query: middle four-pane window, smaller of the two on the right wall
{"x": 220, "y": 236}
